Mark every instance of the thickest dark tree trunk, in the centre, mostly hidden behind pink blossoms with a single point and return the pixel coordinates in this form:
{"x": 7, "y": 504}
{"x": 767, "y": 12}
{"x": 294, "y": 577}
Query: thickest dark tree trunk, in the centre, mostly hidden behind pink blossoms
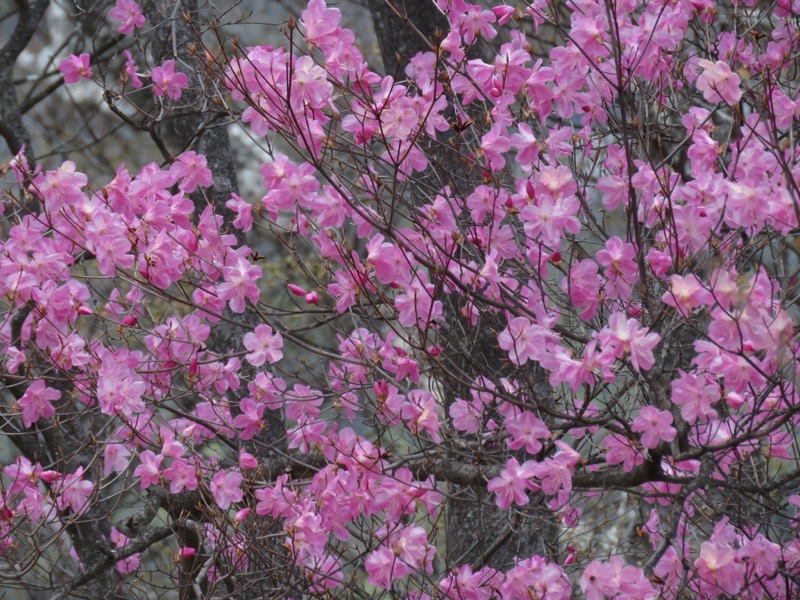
{"x": 477, "y": 532}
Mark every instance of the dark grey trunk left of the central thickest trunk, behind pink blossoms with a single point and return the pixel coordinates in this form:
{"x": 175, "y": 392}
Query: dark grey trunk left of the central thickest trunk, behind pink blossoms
{"x": 196, "y": 126}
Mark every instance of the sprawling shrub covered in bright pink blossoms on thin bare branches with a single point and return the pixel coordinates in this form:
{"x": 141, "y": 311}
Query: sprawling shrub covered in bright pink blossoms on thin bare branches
{"x": 548, "y": 277}
